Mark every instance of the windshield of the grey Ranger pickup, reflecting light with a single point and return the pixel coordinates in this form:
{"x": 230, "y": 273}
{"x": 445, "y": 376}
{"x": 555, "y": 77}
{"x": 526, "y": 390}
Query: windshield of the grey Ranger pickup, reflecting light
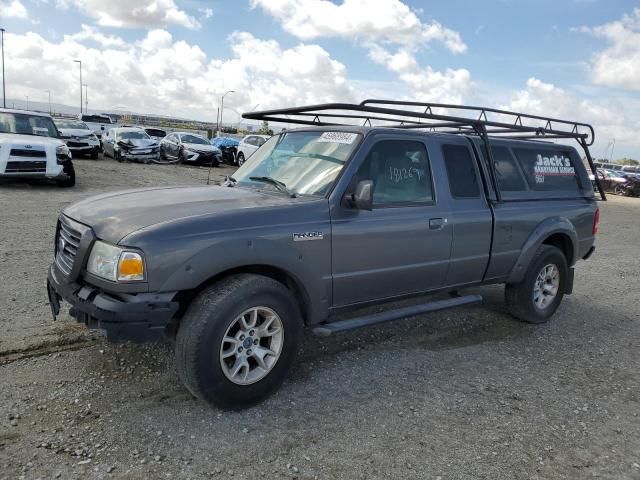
{"x": 306, "y": 162}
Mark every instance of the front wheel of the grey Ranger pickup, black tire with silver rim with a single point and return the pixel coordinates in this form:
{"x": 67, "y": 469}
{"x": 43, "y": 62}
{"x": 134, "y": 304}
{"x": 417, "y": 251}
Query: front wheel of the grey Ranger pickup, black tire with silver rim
{"x": 238, "y": 340}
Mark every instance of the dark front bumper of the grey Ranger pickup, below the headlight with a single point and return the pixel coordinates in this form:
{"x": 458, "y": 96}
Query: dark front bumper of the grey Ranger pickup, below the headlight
{"x": 136, "y": 318}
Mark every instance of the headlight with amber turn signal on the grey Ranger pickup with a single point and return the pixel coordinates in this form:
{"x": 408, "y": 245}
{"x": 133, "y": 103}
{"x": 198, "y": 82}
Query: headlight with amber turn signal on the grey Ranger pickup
{"x": 115, "y": 263}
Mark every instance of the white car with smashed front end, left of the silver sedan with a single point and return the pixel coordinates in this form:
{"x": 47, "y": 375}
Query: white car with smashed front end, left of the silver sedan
{"x": 130, "y": 144}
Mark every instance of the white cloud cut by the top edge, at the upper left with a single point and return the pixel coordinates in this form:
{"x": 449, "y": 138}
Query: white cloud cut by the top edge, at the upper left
{"x": 134, "y": 14}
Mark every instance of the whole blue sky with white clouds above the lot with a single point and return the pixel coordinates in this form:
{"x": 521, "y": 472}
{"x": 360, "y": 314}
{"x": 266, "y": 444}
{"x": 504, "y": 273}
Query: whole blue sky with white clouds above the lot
{"x": 578, "y": 59}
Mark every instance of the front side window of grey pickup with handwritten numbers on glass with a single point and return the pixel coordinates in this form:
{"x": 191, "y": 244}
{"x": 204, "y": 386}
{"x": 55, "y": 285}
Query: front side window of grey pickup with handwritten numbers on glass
{"x": 400, "y": 172}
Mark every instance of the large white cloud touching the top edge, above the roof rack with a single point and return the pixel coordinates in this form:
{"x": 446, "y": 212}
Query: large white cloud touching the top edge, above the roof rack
{"x": 379, "y": 27}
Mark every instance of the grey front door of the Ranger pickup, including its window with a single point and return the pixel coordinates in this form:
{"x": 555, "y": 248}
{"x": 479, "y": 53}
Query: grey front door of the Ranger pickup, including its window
{"x": 403, "y": 245}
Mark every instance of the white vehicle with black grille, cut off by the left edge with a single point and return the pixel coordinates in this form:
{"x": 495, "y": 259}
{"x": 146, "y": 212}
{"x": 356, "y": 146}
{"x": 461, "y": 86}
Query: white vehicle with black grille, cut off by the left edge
{"x": 30, "y": 147}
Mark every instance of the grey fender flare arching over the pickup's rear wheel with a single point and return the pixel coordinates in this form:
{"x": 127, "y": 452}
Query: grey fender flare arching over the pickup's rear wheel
{"x": 550, "y": 226}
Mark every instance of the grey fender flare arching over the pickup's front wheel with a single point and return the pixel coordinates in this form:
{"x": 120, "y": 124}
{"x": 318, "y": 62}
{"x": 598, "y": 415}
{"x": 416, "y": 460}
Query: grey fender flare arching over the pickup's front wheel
{"x": 245, "y": 253}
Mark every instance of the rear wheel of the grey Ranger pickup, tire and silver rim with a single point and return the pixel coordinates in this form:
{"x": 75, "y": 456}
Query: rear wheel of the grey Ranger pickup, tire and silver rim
{"x": 531, "y": 300}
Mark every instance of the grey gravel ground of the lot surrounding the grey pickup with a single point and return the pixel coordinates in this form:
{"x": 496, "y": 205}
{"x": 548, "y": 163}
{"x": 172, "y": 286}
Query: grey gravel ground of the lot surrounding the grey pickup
{"x": 468, "y": 393}
